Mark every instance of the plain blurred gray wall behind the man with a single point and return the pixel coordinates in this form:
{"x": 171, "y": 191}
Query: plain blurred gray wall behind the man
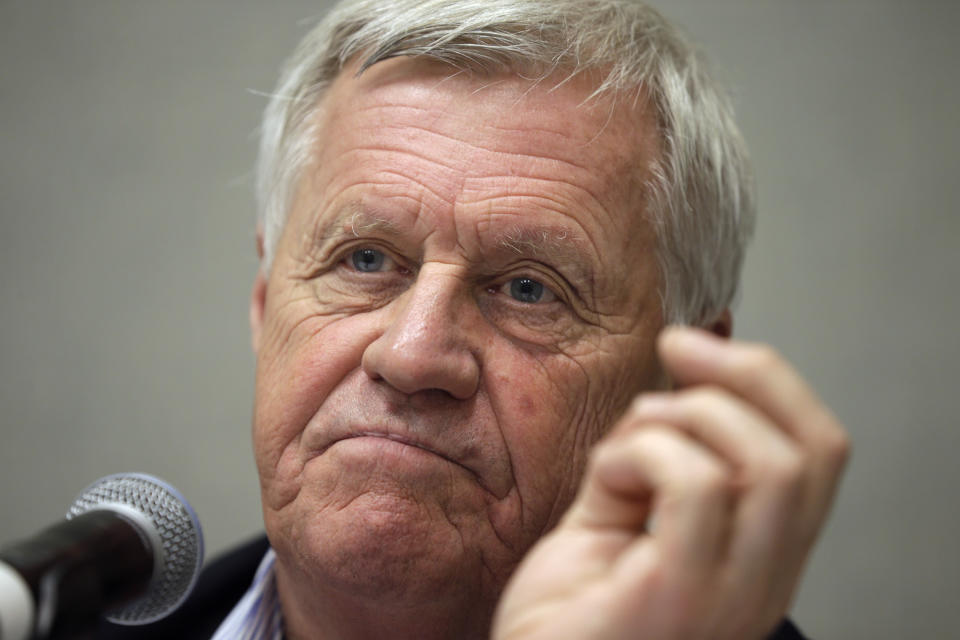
{"x": 126, "y": 254}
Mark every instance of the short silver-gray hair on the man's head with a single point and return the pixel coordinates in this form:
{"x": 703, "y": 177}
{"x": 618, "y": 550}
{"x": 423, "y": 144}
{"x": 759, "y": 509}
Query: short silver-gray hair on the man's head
{"x": 701, "y": 194}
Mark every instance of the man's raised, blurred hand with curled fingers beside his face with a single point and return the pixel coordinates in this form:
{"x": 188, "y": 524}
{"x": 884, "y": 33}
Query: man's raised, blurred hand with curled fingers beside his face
{"x": 696, "y": 513}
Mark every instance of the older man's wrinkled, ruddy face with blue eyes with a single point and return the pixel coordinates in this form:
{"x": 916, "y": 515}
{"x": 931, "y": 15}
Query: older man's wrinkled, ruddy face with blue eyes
{"x": 463, "y": 300}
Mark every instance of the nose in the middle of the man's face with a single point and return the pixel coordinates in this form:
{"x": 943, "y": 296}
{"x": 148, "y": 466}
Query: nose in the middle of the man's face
{"x": 426, "y": 344}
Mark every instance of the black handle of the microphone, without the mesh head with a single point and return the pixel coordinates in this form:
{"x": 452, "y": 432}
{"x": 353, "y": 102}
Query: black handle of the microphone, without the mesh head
{"x": 78, "y": 568}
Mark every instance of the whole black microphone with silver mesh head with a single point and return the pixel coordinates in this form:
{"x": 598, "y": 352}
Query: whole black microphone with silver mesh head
{"x": 131, "y": 548}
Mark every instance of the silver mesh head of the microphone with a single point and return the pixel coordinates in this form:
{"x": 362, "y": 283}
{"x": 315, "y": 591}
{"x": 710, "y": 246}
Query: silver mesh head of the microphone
{"x": 176, "y": 527}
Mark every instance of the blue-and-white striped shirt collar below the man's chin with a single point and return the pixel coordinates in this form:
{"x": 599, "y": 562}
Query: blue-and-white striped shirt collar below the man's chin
{"x": 257, "y": 616}
